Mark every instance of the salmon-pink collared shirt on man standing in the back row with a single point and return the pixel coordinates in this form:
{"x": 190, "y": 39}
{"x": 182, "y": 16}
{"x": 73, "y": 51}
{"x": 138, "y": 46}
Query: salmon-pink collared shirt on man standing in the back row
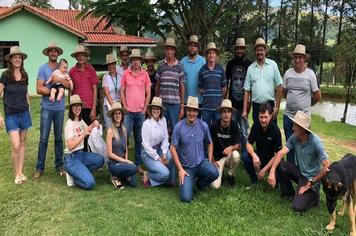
{"x": 135, "y": 89}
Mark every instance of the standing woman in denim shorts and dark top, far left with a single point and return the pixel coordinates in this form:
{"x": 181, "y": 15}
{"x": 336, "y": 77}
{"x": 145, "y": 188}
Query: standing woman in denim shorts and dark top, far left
{"x": 13, "y": 83}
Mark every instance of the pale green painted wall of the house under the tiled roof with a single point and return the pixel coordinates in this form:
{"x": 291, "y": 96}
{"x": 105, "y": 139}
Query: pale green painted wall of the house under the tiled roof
{"x": 33, "y": 34}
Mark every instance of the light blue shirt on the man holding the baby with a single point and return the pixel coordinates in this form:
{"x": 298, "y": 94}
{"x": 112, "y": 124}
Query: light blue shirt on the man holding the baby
{"x": 44, "y": 73}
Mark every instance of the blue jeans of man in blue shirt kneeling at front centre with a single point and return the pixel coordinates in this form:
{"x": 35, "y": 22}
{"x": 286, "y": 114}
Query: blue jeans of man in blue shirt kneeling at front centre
{"x": 205, "y": 173}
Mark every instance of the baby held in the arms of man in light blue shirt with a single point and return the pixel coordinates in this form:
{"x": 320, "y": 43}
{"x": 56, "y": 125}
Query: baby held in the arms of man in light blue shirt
{"x": 60, "y": 73}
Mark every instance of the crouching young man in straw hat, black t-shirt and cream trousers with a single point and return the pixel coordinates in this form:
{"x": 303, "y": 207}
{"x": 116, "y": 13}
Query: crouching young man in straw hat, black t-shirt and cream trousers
{"x": 226, "y": 138}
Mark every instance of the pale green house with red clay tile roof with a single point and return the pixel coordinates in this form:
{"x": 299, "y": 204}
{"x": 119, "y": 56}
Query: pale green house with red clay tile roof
{"x": 32, "y": 28}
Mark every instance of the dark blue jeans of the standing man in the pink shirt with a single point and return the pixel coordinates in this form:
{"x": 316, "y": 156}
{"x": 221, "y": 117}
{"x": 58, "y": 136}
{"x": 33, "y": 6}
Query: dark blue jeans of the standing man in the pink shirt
{"x": 134, "y": 121}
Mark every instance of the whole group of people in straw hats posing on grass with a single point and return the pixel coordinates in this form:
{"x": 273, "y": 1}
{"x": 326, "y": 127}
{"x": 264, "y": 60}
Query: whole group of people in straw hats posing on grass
{"x": 189, "y": 119}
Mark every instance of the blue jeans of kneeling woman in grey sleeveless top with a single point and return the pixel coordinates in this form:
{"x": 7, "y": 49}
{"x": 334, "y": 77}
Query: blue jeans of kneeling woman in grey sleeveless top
{"x": 123, "y": 171}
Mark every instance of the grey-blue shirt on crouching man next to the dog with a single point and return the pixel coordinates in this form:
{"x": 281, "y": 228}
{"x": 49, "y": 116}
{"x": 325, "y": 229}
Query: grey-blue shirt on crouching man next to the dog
{"x": 308, "y": 156}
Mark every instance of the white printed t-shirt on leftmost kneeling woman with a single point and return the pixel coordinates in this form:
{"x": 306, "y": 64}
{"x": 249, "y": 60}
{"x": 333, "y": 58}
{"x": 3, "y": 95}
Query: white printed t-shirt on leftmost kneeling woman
{"x": 74, "y": 129}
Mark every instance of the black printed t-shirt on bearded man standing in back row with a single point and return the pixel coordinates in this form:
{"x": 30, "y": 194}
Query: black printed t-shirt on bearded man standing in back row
{"x": 236, "y": 70}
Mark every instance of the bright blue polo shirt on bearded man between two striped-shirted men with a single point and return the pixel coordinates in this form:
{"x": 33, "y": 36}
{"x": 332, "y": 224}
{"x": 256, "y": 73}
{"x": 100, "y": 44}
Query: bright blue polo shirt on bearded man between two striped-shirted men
{"x": 191, "y": 71}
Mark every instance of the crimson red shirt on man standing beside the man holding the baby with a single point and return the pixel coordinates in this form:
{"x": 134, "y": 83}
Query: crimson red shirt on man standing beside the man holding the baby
{"x": 83, "y": 82}
